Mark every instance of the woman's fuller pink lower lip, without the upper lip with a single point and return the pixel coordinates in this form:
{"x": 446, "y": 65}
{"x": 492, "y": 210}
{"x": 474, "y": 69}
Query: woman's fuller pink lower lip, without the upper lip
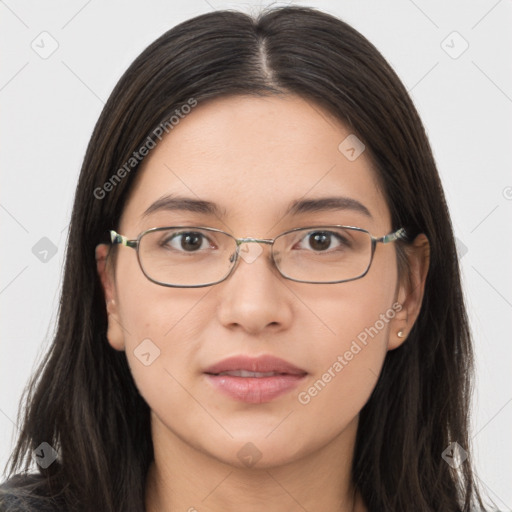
{"x": 254, "y": 390}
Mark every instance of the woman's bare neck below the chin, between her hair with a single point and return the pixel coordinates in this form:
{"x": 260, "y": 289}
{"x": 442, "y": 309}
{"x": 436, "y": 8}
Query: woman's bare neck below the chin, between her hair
{"x": 184, "y": 478}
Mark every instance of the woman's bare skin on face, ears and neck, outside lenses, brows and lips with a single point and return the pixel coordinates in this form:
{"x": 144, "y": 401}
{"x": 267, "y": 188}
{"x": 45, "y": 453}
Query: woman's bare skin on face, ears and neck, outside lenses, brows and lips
{"x": 253, "y": 156}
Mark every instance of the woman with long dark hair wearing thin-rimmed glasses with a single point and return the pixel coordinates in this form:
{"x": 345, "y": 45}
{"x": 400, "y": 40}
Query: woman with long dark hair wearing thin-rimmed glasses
{"x": 261, "y": 307}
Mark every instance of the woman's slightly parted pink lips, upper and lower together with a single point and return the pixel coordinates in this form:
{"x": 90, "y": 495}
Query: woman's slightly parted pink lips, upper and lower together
{"x": 254, "y": 380}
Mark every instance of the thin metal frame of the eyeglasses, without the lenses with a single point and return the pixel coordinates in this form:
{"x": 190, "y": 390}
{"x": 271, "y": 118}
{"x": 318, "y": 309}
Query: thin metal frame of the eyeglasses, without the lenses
{"x": 116, "y": 238}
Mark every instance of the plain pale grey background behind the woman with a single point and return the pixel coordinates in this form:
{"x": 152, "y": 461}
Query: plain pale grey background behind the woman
{"x": 50, "y": 106}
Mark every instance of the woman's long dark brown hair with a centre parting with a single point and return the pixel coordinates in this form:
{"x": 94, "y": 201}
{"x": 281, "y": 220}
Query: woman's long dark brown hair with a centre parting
{"x": 83, "y": 400}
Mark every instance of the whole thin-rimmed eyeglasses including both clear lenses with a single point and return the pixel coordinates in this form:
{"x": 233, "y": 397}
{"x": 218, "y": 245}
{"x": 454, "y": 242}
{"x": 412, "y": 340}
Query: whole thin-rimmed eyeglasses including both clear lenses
{"x": 193, "y": 257}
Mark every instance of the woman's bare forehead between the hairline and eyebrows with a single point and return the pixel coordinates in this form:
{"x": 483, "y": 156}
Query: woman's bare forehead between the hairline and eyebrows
{"x": 254, "y": 158}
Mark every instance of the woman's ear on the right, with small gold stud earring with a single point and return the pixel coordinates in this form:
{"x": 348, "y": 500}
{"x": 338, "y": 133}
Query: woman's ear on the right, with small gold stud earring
{"x": 410, "y": 290}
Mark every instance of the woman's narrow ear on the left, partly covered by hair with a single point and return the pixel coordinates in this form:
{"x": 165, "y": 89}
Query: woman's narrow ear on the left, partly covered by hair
{"x": 105, "y": 270}
